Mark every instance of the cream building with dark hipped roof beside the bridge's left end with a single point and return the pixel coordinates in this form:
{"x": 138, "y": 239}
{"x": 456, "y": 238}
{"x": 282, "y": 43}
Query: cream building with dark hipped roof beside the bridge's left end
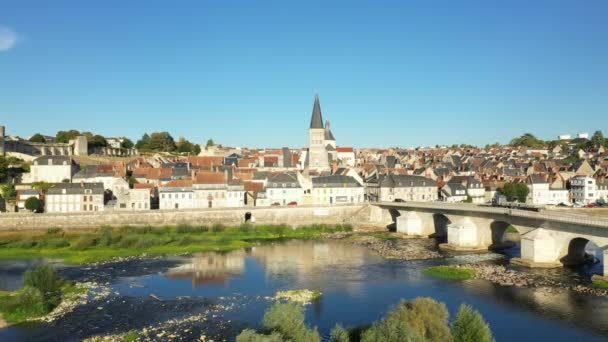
{"x": 407, "y": 188}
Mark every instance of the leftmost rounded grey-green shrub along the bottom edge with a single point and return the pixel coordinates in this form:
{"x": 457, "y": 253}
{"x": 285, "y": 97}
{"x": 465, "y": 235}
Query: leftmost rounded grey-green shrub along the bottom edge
{"x": 288, "y": 320}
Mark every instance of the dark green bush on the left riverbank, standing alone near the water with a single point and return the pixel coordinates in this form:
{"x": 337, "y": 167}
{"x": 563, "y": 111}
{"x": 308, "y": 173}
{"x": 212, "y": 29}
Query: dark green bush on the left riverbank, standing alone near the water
{"x": 46, "y": 280}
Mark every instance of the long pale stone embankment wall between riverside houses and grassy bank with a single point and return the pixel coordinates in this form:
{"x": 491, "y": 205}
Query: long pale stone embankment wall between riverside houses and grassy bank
{"x": 294, "y": 216}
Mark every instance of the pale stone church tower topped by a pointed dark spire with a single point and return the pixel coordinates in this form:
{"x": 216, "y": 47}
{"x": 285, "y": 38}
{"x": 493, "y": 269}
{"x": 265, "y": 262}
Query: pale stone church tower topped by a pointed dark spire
{"x": 317, "y": 154}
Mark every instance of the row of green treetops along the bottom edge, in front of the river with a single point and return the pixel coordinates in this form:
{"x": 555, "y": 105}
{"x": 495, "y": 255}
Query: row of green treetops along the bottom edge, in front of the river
{"x": 420, "y": 320}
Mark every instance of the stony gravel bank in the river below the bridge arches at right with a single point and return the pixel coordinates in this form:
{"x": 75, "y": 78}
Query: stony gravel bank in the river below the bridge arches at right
{"x": 502, "y": 276}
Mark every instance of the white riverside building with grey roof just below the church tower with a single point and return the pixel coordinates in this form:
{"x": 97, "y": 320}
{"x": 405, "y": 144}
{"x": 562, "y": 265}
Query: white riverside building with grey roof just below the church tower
{"x": 336, "y": 189}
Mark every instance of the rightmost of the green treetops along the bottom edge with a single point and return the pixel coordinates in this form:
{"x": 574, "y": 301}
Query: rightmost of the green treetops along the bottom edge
{"x": 470, "y": 326}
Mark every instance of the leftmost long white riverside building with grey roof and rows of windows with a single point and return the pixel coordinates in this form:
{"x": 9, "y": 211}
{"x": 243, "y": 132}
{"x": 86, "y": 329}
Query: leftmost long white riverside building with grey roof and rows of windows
{"x": 73, "y": 197}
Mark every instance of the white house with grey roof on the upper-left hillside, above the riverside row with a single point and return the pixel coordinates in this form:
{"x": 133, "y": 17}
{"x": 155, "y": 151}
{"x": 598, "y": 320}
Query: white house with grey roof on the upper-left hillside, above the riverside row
{"x": 52, "y": 169}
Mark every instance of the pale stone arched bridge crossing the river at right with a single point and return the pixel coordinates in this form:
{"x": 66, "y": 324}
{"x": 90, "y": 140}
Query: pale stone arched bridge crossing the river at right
{"x": 548, "y": 239}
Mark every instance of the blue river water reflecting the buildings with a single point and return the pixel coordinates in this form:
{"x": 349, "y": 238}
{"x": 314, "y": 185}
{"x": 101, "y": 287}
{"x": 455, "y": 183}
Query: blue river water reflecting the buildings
{"x": 229, "y": 290}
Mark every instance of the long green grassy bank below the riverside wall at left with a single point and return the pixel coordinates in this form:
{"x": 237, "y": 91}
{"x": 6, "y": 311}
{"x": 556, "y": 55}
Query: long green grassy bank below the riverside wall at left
{"x": 79, "y": 247}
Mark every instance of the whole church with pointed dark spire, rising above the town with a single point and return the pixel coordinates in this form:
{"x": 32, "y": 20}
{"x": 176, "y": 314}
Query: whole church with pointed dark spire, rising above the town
{"x": 321, "y": 142}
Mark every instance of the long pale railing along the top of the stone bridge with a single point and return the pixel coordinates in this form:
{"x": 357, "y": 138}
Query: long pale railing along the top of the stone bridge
{"x": 544, "y": 216}
